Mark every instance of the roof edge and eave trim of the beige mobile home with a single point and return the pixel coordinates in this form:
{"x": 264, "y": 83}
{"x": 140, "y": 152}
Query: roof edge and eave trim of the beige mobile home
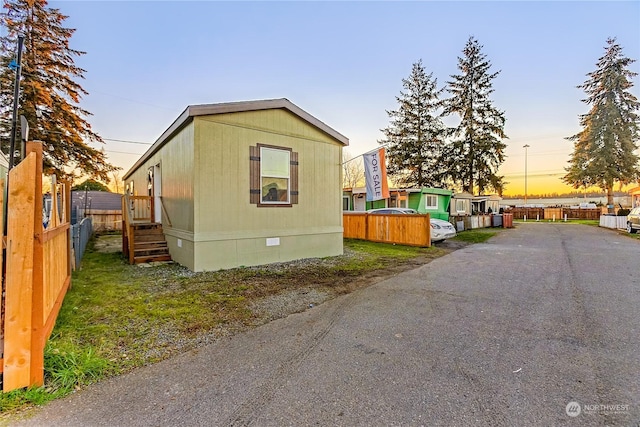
{"x": 234, "y": 107}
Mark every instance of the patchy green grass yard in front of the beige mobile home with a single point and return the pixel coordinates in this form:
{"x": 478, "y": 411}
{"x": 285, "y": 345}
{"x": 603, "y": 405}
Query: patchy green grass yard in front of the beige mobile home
{"x": 117, "y": 317}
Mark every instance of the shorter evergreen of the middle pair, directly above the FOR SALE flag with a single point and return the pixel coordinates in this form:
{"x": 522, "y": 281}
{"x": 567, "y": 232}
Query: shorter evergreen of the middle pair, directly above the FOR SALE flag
{"x": 415, "y": 135}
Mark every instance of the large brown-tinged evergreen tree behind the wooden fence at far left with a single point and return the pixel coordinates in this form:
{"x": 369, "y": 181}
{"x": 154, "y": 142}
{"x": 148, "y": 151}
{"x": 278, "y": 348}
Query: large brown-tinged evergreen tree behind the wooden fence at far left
{"x": 49, "y": 94}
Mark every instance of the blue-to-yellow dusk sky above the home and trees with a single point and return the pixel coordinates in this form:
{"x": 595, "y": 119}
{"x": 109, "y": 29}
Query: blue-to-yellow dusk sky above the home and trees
{"x": 344, "y": 62}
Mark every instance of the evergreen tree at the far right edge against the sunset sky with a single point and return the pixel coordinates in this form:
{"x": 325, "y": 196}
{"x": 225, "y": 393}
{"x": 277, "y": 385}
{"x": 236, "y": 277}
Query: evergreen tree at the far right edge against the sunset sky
{"x": 603, "y": 152}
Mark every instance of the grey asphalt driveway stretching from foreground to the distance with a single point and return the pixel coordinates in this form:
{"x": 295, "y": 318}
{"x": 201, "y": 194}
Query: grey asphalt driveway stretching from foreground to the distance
{"x": 509, "y": 332}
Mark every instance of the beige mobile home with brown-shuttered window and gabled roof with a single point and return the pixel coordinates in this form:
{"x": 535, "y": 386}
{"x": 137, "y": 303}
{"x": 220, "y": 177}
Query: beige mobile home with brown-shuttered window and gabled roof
{"x": 244, "y": 183}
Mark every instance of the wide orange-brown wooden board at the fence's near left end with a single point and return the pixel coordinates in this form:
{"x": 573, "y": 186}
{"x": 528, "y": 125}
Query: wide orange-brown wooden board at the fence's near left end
{"x": 18, "y": 298}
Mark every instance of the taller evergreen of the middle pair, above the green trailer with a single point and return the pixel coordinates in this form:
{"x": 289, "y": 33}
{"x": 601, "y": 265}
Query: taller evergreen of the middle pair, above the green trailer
{"x": 476, "y": 151}
